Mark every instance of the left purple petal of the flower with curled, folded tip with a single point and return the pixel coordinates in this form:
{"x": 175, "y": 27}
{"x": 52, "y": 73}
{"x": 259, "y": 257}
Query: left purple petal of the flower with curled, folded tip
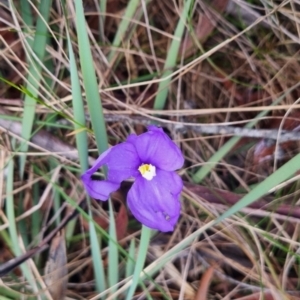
{"x": 122, "y": 162}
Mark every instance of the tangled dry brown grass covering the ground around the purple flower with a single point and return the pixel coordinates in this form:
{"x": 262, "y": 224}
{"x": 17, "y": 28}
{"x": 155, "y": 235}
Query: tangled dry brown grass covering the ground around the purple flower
{"x": 232, "y": 63}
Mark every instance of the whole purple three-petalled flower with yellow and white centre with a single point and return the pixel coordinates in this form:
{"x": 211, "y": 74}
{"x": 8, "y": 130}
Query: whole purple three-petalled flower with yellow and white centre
{"x": 151, "y": 158}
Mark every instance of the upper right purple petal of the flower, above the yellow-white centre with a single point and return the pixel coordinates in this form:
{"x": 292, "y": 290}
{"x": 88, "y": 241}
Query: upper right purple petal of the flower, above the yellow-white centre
{"x": 156, "y": 148}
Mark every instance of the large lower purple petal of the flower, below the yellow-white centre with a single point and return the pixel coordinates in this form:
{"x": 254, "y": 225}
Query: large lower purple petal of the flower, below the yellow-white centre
{"x": 155, "y": 203}
